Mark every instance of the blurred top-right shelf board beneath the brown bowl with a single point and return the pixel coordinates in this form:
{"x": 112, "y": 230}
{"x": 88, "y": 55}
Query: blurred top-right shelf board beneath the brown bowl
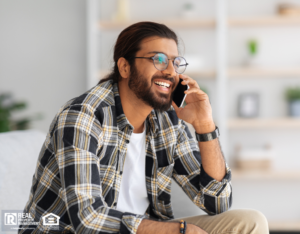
{"x": 264, "y": 21}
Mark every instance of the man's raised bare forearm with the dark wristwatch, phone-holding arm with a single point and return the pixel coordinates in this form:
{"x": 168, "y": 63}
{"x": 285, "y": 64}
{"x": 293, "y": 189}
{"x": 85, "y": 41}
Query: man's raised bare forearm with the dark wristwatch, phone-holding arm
{"x": 211, "y": 154}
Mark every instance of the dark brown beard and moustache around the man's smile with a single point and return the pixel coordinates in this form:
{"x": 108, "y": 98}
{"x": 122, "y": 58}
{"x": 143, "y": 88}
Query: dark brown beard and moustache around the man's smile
{"x": 140, "y": 87}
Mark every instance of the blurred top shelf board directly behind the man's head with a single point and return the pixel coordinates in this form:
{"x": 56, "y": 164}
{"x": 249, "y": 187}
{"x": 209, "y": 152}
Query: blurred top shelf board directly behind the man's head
{"x": 199, "y": 23}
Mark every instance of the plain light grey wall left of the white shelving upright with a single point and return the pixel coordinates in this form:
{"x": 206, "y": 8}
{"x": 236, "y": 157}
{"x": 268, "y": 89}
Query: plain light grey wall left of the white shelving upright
{"x": 43, "y": 53}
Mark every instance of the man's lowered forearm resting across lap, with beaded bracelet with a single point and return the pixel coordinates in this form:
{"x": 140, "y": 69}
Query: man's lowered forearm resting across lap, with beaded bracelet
{"x": 155, "y": 227}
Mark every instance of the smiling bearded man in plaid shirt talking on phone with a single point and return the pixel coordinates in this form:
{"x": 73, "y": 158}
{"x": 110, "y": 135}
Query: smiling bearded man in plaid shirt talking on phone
{"x": 107, "y": 163}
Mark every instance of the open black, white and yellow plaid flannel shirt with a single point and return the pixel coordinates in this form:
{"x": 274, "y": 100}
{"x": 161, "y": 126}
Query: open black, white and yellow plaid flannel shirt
{"x": 79, "y": 169}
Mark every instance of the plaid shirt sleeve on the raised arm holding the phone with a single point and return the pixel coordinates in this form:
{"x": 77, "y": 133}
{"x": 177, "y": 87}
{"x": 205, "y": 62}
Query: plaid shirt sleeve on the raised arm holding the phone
{"x": 210, "y": 195}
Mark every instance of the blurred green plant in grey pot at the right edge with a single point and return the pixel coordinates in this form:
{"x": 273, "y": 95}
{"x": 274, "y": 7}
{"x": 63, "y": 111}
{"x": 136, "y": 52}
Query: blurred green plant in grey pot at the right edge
{"x": 293, "y": 97}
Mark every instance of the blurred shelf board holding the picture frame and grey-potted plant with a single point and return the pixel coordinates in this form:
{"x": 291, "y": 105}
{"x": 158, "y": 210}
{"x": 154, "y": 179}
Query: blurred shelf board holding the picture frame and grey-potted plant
{"x": 258, "y": 123}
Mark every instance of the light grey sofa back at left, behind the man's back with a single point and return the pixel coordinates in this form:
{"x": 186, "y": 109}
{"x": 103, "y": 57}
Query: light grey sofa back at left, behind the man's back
{"x": 19, "y": 151}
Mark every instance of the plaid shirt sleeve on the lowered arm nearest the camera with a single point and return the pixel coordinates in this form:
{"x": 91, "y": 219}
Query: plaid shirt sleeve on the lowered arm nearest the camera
{"x": 75, "y": 140}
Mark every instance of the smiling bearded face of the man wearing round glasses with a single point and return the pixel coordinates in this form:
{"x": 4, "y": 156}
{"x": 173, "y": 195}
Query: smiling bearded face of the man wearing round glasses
{"x": 146, "y": 81}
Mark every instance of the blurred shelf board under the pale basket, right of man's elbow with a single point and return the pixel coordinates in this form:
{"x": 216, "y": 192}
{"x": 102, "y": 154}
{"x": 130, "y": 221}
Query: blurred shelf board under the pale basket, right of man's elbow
{"x": 268, "y": 174}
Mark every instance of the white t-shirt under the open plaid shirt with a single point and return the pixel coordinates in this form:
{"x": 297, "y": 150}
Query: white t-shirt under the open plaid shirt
{"x": 133, "y": 194}
